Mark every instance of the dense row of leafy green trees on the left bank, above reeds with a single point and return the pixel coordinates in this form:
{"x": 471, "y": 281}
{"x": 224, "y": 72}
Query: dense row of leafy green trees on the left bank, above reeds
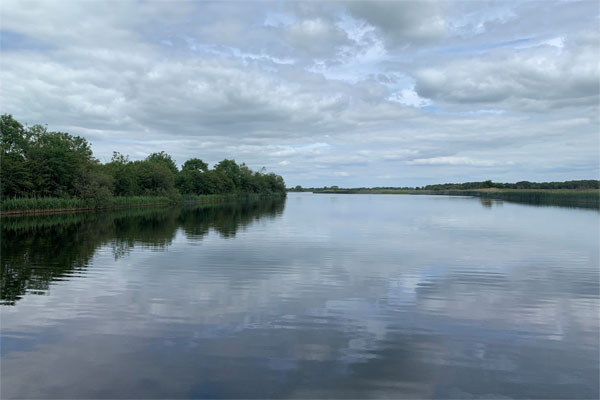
{"x": 38, "y": 163}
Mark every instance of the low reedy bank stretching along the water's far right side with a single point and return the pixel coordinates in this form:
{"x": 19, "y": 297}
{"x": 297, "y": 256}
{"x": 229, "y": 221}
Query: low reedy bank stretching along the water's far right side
{"x": 587, "y": 198}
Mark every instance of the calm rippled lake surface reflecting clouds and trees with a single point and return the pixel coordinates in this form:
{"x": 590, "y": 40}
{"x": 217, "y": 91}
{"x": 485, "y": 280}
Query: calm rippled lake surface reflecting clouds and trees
{"x": 322, "y": 296}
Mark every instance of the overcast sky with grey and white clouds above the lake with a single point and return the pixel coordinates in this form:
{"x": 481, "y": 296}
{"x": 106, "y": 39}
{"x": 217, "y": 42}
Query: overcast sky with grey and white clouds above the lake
{"x": 324, "y": 93}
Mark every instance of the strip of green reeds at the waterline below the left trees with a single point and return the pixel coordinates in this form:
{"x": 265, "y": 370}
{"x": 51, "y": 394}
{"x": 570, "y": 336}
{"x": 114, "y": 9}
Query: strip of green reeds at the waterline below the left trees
{"x": 54, "y": 205}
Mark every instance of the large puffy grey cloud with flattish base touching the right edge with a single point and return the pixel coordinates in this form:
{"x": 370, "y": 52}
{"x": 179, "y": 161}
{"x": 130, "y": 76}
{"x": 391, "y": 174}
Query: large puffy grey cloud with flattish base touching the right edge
{"x": 536, "y": 78}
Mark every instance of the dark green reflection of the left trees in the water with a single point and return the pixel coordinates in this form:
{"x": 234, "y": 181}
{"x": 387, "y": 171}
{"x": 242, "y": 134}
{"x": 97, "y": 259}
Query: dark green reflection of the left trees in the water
{"x": 40, "y": 249}
